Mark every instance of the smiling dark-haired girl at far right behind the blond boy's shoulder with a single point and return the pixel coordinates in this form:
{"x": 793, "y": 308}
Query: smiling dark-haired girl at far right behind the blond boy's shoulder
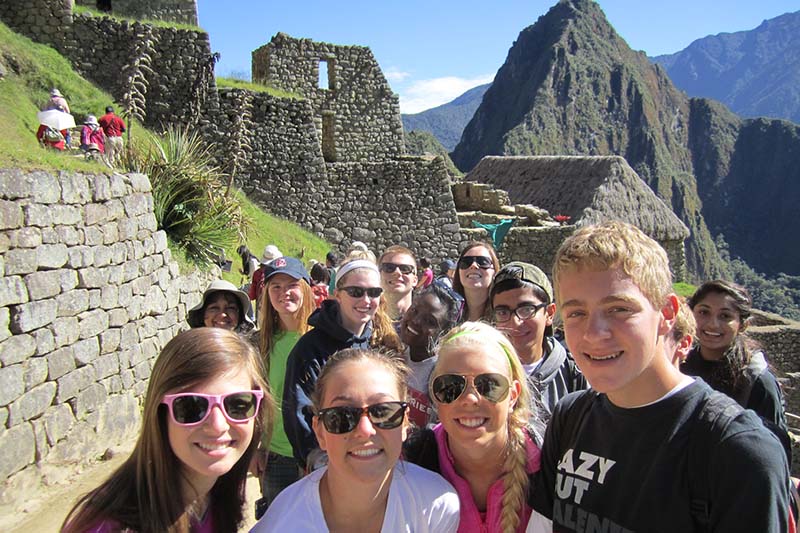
{"x": 727, "y": 359}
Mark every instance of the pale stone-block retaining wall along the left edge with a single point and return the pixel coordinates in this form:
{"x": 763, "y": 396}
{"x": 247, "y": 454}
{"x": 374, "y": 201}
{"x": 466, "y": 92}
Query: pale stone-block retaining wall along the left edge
{"x": 88, "y": 297}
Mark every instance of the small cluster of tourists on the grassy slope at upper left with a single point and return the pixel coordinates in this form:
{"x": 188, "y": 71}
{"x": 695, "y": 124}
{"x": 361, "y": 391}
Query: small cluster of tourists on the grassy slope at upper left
{"x": 101, "y": 138}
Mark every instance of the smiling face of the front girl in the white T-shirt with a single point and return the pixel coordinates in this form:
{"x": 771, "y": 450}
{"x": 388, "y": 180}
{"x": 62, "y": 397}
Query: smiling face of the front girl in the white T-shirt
{"x": 367, "y": 454}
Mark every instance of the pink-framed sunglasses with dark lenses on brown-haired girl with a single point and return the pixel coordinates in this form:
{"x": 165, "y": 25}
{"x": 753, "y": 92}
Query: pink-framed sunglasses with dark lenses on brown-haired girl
{"x": 193, "y": 408}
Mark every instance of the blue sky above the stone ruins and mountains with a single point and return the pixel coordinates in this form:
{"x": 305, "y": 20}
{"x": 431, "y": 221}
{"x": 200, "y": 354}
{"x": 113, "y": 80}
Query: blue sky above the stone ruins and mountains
{"x": 433, "y": 51}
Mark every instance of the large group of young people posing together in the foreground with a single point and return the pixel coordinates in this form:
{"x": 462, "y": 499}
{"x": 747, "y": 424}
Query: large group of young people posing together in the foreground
{"x": 391, "y": 405}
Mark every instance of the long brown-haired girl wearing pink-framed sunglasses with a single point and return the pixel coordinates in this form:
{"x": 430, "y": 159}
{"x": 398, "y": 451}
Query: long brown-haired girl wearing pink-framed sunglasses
{"x": 206, "y": 406}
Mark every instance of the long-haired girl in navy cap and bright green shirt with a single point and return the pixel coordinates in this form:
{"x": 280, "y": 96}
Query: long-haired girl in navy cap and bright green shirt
{"x": 284, "y": 319}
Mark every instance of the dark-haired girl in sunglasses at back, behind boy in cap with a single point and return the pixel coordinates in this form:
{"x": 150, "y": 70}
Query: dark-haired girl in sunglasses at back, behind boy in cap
{"x": 477, "y": 266}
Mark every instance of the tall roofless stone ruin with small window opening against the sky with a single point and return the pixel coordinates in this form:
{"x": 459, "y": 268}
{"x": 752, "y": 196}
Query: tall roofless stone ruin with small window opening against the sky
{"x": 357, "y": 115}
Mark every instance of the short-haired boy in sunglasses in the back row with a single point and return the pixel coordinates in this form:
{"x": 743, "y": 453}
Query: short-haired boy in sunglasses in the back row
{"x": 398, "y": 268}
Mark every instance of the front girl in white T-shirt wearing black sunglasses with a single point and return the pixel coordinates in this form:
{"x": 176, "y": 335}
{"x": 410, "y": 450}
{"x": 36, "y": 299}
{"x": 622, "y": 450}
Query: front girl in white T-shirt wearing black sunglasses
{"x": 360, "y": 421}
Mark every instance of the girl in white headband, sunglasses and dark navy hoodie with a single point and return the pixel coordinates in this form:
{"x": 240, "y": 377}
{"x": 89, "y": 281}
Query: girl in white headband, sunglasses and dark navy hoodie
{"x": 354, "y": 318}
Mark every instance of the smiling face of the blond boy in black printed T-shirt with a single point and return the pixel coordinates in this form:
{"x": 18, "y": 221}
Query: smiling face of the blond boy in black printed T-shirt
{"x": 616, "y": 335}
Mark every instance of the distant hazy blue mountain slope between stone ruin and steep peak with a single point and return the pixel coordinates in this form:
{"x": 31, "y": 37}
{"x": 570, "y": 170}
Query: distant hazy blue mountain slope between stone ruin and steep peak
{"x": 447, "y": 121}
